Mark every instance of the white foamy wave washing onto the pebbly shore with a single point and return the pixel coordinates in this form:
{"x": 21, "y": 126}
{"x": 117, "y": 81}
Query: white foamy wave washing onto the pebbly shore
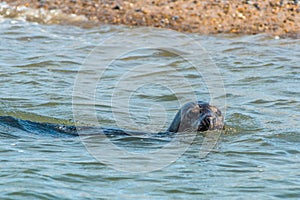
{"x": 40, "y": 15}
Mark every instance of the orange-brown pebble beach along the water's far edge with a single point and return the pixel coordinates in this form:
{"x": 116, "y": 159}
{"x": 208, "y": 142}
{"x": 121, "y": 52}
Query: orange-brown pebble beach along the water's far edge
{"x": 277, "y": 18}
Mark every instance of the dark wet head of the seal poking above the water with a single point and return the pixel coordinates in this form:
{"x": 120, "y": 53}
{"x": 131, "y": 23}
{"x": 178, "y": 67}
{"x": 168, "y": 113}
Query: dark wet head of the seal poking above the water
{"x": 197, "y": 116}
